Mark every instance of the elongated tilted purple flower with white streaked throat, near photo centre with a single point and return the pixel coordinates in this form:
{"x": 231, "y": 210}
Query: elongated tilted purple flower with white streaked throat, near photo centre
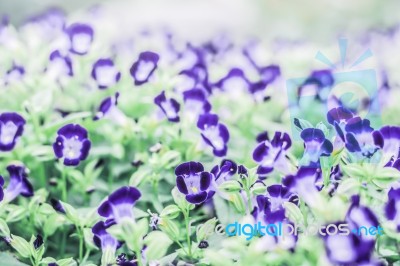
{"x": 214, "y": 133}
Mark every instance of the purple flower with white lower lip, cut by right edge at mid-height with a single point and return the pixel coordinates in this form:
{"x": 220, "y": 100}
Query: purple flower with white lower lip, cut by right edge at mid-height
{"x": 388, "y": 137}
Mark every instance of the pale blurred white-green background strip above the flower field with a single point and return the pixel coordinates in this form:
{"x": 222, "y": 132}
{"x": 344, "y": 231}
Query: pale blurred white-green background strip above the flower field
{"x": 289, "y": 19}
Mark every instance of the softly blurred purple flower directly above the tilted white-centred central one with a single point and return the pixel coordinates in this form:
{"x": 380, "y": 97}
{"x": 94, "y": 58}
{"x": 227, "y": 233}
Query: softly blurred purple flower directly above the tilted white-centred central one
{"x": 196, "y": 102}
